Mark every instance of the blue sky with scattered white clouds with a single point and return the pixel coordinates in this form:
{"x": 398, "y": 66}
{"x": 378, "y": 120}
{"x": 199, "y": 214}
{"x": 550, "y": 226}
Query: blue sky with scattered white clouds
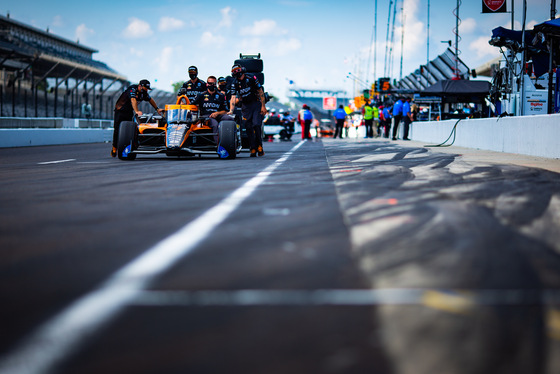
{"x": 315, "y": 44}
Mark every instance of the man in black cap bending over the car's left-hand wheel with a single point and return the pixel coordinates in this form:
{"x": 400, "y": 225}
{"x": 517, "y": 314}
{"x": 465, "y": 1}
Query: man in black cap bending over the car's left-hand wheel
{"x": 127, "y": 106}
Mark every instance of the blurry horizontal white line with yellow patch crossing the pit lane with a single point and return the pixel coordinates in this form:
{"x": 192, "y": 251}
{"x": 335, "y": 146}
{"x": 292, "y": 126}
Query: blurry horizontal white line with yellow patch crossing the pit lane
{"x": 444, "y": 299}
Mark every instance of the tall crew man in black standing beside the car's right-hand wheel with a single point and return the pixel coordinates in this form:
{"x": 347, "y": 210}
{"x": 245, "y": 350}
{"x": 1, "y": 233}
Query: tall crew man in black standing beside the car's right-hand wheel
{"x": 248, "y": 90}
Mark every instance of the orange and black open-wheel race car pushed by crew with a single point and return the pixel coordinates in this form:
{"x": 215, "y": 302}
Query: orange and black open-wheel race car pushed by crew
{"x": 182, "y": 132}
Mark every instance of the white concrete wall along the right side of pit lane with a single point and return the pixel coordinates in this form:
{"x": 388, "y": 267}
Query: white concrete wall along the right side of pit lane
{"x": 529, "y": 135}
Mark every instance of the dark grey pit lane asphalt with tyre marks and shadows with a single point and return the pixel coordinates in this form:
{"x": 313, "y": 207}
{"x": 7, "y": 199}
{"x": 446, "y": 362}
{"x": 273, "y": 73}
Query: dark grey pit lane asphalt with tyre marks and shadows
{"x": 347, "y": 215}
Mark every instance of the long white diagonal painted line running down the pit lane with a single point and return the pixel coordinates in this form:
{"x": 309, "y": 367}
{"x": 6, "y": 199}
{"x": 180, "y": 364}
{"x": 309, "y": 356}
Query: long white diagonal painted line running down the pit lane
{"x": 60, "y": 336}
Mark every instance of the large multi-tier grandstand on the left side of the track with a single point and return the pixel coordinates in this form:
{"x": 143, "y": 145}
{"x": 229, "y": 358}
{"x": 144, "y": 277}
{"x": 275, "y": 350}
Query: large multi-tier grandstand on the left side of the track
{"x": 44, "y": 75}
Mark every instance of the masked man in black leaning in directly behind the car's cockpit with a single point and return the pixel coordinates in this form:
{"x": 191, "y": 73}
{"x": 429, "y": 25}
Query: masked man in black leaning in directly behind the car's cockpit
{"x": 212, "y": 103}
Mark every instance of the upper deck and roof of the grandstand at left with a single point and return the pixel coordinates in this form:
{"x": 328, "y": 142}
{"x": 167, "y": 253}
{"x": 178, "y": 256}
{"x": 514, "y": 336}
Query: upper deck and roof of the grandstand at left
{"x": 26, "y": 50}
